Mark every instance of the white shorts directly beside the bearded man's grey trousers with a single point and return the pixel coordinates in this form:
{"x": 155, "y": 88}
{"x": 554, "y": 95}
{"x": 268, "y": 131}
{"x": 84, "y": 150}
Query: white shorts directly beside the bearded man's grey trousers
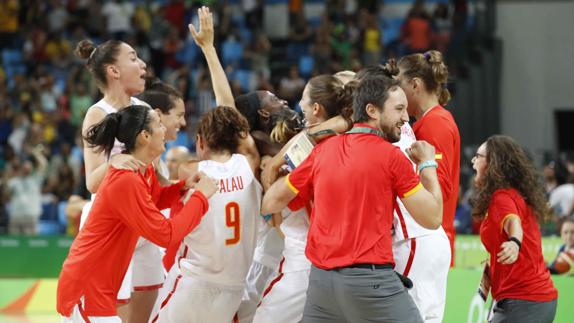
{"x": 285, "y": 298}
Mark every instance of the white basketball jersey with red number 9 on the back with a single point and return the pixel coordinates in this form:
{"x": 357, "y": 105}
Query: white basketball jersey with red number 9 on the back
{"x": 220, "y": 249}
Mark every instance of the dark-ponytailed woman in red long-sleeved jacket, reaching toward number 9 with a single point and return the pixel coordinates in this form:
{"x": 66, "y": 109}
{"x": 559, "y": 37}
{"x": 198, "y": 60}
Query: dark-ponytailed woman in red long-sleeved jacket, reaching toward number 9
{"x": 92, "y": 273}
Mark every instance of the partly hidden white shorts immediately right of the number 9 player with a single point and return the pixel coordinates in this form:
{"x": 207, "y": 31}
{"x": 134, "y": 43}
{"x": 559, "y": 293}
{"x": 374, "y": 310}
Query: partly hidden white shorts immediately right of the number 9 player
{"x": 258, "y": 278}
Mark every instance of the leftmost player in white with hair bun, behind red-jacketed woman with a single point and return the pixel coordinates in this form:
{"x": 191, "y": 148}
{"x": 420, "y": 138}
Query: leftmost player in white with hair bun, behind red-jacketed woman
{"x": 119, "y": 74}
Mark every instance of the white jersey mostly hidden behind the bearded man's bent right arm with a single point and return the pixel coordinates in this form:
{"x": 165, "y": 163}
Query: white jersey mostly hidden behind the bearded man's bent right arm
{"x": 404, "y": 225}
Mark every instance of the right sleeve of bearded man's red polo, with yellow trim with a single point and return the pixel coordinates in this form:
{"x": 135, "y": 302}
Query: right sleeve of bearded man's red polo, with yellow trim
{"x": 405, "y": 182}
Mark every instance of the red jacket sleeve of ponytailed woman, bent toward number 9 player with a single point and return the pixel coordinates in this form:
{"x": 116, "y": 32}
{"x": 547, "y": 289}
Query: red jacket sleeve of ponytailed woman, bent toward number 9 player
{"x": 139, "y": 212}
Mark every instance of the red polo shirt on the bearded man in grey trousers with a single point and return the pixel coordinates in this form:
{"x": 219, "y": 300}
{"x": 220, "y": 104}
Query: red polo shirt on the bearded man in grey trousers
{"x": 354, "y": 180}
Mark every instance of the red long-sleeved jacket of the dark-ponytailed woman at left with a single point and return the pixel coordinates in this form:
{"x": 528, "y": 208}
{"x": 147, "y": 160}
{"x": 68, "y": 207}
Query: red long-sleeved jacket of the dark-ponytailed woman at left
{"x": 125, "y": 208}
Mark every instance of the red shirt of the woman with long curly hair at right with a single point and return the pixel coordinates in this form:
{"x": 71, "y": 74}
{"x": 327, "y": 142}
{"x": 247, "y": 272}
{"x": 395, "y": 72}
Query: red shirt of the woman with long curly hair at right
{"x": 527, "y": 278}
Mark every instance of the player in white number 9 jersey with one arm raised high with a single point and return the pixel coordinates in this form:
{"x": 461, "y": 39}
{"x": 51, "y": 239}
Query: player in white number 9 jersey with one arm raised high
{"x": 206, "y": 282}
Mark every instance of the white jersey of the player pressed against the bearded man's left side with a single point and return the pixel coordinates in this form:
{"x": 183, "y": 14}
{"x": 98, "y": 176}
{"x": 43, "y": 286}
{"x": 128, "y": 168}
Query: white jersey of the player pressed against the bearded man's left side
{"x": 295, "y": 227}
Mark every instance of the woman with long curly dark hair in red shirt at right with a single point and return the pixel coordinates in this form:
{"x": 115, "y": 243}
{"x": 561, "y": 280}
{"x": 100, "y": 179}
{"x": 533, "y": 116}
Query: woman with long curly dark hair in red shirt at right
{"x": 511, "y": 201}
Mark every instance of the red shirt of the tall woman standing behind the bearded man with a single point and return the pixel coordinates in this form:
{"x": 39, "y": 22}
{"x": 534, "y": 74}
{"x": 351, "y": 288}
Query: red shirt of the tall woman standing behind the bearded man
{"x": 438, "y": 128}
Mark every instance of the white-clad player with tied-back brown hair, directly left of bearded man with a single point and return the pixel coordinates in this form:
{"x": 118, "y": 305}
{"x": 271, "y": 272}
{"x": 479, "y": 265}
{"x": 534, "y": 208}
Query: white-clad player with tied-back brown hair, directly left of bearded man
{"x": 324, "y": 97}
